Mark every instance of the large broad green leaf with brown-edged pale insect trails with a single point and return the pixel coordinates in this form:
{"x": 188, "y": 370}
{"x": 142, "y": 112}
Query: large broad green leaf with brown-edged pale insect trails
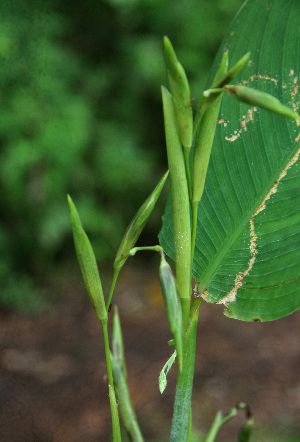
{"x": 248, "y": 240}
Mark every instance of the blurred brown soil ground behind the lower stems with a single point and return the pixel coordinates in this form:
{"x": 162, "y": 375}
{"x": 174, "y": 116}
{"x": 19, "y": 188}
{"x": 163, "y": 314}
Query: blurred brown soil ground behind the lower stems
{"x": 53, "y": 386}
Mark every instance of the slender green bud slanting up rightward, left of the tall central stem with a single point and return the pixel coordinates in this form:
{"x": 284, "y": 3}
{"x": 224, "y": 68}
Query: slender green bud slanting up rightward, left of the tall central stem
{"x": 137, "y": 224}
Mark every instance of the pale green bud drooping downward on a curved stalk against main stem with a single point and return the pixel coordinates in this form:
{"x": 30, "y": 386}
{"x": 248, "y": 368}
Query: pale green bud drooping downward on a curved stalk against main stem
{"x": 172, "y": 306}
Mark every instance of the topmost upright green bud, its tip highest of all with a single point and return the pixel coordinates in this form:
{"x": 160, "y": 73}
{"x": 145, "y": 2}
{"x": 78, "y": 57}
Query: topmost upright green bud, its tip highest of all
{"x": 181, "y": 96}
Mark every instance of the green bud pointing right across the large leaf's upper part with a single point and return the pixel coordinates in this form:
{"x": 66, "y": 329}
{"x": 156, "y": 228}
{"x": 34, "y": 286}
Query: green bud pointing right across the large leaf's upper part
{"x": 261, "y": 99}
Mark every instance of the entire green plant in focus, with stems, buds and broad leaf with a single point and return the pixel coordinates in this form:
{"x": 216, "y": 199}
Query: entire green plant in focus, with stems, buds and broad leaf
{"x": 213, "y": 225}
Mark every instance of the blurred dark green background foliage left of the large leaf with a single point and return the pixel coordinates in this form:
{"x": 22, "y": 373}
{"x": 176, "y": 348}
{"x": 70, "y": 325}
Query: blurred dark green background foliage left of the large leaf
{"x": 81, "y": 114}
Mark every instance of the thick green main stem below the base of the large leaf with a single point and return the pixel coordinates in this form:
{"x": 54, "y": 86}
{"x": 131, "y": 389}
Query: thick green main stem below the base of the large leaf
{"x": 182, "y": 406}
